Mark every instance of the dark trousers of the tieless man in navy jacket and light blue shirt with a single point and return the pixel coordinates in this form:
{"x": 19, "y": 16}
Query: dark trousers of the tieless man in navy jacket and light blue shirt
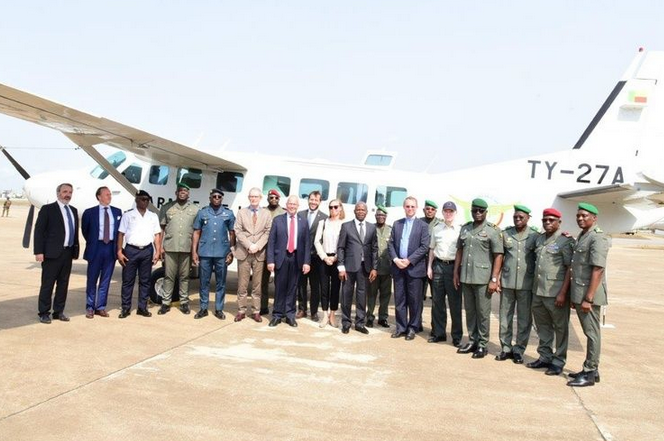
{"x": 407, "y": 301}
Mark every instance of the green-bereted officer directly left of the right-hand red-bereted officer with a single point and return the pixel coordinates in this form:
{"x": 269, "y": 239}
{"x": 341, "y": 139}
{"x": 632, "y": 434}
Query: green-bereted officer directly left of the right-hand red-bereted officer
{"x": 516, "y": 285}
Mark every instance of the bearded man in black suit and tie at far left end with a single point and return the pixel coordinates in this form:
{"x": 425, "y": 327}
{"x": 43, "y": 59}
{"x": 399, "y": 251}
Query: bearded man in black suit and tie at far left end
{"x": 55, "y": 246}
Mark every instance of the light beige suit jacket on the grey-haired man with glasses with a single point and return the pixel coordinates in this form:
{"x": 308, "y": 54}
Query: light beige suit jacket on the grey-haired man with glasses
{"x": 247, "y": 233}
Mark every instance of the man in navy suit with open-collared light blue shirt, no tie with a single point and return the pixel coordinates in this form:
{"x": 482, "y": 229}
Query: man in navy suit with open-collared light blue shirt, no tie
{"x": 408, "y": 248}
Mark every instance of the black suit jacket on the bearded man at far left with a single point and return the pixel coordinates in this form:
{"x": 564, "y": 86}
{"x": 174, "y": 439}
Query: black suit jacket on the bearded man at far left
{"x": 50, "y": 231}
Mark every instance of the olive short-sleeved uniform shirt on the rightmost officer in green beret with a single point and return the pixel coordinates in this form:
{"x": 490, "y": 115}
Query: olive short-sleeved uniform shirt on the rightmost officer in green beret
{"x": 591, "y": 250}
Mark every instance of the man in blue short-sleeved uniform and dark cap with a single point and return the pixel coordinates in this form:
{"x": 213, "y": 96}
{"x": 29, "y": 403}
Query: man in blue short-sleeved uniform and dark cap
{"x": 213, "y": 238}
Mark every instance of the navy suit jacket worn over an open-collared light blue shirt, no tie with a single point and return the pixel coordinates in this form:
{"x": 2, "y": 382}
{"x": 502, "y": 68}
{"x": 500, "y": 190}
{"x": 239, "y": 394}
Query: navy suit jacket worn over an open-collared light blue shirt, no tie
{"x": 418, "y": 246}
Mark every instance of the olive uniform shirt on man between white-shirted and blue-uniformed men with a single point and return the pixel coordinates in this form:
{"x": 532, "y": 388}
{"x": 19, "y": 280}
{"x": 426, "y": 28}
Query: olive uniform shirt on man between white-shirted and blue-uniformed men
{"x": 178, "y": 223}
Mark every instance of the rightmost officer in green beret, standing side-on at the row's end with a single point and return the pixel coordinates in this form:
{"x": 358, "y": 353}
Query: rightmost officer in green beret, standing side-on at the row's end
{"x": 588, "y": 289}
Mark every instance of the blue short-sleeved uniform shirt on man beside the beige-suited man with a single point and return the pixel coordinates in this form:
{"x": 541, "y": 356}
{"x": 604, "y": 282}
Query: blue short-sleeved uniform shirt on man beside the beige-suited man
{"x": 215, "y": 227}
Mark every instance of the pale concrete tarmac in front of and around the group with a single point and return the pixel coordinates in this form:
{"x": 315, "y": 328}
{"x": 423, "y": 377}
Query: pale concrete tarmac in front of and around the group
{"x": 172, "y": 377}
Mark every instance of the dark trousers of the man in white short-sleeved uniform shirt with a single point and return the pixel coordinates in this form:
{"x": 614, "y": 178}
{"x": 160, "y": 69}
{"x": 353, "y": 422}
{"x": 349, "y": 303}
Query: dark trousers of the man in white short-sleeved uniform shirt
{"x": 140, "y": 262}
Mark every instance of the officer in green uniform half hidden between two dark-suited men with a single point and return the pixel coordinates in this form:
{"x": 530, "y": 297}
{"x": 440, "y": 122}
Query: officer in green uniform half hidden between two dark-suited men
{"x": 383, "y": 282}
